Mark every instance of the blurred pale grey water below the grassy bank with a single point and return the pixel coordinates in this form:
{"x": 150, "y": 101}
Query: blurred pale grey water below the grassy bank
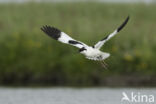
{"x": 69, "y": 95}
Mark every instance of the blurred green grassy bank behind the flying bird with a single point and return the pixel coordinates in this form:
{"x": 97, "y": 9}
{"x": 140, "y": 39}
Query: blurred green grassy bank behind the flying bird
{"x": 28, "y": 56}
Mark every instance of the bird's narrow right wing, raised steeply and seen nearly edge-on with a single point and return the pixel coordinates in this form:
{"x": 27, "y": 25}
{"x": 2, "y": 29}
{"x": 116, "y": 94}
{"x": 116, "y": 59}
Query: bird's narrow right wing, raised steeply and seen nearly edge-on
{"x": 101, "y": 43}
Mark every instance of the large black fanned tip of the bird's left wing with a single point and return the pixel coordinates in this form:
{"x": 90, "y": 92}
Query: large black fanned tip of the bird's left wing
{"x": 52, "y": 32}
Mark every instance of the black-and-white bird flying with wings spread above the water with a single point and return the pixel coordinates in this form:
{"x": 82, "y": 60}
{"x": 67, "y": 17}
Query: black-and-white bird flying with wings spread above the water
{"x": 90, "y": 52}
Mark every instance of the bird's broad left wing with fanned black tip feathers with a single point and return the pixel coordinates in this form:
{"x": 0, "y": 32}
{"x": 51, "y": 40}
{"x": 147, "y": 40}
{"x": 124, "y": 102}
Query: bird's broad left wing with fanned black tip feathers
{"x": 61, "y": 36}
